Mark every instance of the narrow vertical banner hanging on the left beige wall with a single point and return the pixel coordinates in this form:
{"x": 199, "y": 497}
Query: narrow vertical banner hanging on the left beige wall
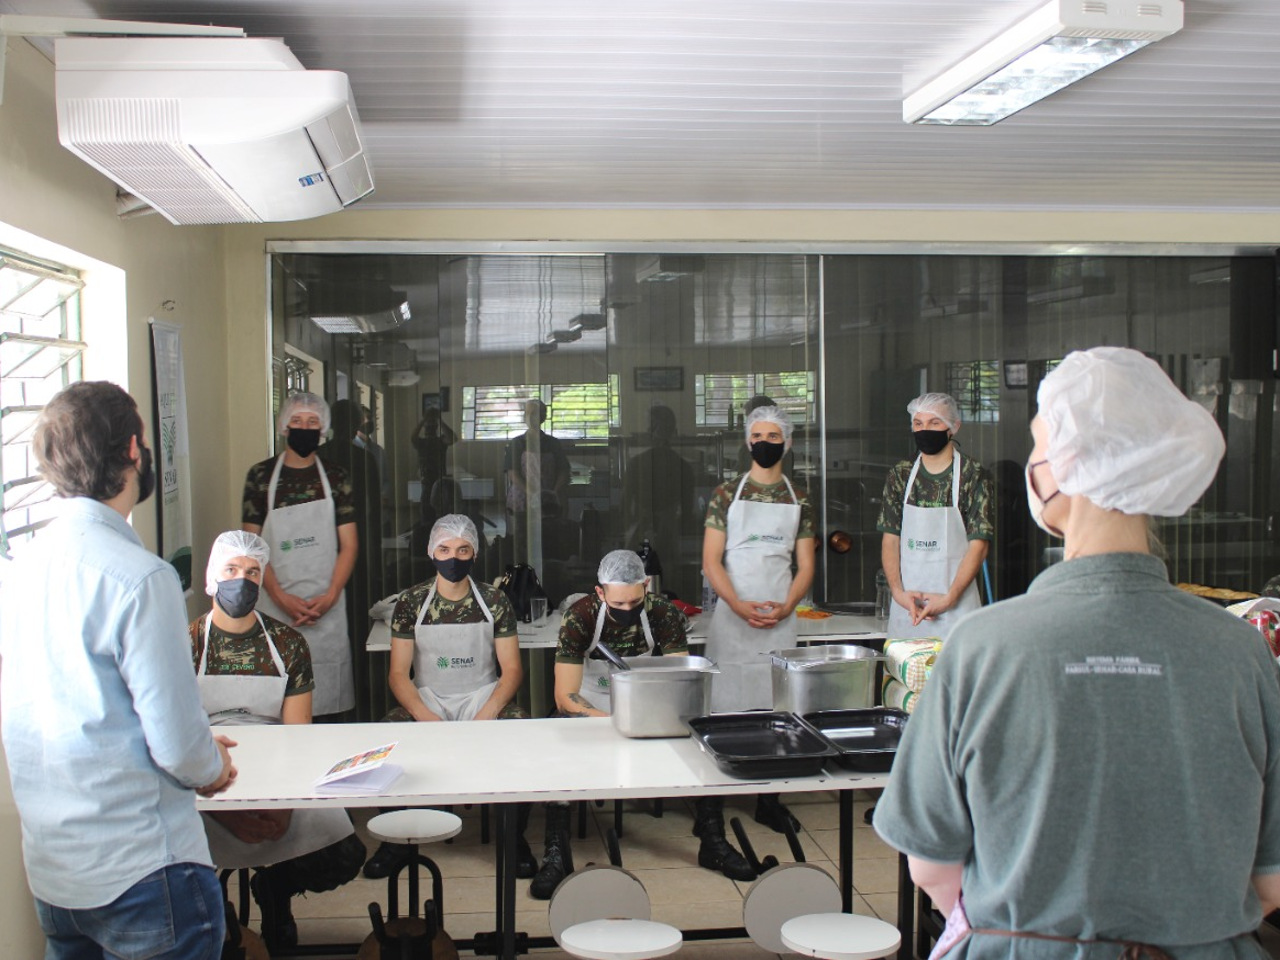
{"x": 172, "y": 451}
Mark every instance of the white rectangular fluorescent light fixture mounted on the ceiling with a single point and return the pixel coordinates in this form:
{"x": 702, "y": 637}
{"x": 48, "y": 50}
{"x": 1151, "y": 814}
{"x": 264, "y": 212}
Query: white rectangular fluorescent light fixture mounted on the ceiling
{"x": 1050, "y": 49}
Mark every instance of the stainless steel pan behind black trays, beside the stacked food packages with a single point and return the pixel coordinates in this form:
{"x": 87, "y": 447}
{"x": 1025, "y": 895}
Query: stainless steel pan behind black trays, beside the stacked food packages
{"x": 834, "y": 678}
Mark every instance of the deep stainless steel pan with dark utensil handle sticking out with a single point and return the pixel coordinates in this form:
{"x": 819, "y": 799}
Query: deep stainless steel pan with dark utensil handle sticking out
{"x": 659, "y": 696}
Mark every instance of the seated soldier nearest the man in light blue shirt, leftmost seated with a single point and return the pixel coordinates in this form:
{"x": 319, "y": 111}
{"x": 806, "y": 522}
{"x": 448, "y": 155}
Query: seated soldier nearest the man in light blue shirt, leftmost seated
{"x": 253, "y": 669}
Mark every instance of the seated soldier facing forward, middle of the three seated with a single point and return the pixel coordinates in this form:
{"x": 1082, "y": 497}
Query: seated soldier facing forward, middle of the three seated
{"x": 455, "y": 657}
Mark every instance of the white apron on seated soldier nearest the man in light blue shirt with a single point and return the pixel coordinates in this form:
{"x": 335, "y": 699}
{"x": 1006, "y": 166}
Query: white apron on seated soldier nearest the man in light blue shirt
{"x": 232, "y": 701}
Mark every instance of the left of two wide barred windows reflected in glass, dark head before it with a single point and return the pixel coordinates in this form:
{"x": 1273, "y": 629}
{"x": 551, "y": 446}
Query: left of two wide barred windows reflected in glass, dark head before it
{"x": 577, "y": 412}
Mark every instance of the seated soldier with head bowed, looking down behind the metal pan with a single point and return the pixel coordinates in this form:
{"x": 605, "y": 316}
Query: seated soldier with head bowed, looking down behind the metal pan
{"x": 633, "y": 624}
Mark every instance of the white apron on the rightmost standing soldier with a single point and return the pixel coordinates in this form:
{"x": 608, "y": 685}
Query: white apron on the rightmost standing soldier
{"x": 931, "y": 550}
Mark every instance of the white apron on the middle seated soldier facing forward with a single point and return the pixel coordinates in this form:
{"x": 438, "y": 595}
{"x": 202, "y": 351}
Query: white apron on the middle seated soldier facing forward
{"x": 455, "y": 665}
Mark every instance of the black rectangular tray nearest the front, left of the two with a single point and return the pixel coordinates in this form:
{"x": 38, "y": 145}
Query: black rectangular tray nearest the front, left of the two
{"x": 762, "y": 746}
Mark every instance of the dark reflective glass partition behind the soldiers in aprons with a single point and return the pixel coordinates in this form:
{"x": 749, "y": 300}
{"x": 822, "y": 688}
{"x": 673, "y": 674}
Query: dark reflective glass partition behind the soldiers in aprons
{"x": 577, "y": 404}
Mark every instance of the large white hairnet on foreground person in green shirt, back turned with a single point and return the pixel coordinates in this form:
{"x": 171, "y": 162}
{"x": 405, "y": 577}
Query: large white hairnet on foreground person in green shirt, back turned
{"x": 1124, "y": 436}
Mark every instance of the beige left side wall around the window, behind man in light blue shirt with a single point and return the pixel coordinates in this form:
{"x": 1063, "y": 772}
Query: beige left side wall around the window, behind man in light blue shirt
{"x": 56, "y": 207}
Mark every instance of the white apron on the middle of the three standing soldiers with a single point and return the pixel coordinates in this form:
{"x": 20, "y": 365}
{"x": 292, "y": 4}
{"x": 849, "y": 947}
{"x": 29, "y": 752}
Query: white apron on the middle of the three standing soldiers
{"x": 760, "y": 545}
